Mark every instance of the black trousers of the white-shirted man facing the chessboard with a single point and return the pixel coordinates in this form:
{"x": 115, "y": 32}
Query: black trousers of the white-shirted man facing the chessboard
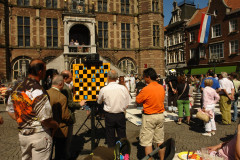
{"x": 115, "y": 122}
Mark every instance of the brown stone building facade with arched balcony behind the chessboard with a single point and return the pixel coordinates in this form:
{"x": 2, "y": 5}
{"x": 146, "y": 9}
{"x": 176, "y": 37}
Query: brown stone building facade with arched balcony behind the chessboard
{"x": 128, "y": 33}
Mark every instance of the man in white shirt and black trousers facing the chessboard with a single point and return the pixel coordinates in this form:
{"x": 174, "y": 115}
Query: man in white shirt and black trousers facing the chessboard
{"x": 116, "y": 100}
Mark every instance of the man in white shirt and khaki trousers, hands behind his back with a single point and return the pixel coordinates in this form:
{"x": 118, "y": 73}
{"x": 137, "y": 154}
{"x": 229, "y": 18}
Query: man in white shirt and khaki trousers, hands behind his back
{"x": 226, "y": 96}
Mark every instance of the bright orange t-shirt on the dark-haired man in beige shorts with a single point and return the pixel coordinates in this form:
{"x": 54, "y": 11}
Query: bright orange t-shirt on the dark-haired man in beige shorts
{"x": 152, "y": 96}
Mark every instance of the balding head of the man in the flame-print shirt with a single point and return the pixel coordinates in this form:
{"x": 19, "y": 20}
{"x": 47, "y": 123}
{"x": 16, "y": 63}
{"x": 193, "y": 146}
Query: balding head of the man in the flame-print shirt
{"x": 36, "y": 66}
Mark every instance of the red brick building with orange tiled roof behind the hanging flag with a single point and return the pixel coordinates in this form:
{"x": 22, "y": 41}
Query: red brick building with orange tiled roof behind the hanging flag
{"x": 222, "y": 50}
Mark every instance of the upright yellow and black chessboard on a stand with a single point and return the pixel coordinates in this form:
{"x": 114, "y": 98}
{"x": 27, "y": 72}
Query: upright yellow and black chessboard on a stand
{"x": 88, "y": 80}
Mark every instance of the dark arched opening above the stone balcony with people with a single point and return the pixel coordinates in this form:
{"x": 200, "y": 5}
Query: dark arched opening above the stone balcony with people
{"x": 80, "y": 33}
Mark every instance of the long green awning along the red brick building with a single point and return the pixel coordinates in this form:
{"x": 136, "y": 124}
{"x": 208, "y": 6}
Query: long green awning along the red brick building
{"x": 218, "y": 70}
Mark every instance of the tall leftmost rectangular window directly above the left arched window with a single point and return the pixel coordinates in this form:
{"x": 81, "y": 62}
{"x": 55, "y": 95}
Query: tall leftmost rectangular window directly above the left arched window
{"x": 23, "y": 31}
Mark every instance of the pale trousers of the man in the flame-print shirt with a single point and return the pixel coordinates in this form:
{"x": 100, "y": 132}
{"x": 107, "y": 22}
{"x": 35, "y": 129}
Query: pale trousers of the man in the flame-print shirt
{"x": 37, "y": 146}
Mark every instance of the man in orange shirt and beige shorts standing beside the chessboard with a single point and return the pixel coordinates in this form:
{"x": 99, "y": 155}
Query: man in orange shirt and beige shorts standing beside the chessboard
{"x": 152, "y": 96}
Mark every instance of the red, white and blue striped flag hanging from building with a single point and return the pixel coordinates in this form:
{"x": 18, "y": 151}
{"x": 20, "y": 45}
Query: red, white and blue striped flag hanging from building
{"x": 204, "y": 28}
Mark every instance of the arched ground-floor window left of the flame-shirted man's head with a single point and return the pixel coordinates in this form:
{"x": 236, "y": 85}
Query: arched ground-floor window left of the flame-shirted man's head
{"x": 19, "y": 69}
